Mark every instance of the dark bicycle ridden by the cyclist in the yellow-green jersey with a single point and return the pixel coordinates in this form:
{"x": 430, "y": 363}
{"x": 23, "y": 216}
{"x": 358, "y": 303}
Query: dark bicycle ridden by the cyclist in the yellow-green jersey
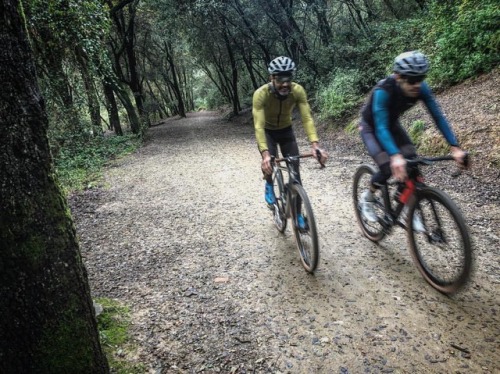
{"x": 293, "y": 202}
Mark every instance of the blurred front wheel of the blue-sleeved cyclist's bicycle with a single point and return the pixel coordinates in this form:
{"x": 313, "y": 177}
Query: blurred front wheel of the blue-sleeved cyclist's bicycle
{"x": 443, "y": 253}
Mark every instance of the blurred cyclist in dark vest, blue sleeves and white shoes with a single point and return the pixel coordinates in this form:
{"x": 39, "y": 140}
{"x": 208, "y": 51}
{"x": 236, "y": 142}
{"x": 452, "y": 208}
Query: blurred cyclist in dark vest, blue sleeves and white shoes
{"x": 385, "y": 139}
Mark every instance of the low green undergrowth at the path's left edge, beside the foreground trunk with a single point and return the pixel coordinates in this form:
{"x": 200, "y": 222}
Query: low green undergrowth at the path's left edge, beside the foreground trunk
{"x": 80, "y": 161}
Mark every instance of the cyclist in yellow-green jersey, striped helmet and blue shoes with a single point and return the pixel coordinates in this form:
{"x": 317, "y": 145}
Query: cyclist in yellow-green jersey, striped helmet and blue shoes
{"x": 273, "y": 104}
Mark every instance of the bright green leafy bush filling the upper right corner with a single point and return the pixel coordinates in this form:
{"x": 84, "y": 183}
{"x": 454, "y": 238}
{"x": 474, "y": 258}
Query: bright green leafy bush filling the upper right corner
{"x": 464, "y": 38}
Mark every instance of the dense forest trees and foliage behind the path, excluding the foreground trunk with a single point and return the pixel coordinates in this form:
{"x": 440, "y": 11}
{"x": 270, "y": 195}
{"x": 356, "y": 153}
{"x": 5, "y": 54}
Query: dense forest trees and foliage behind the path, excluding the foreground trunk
{"x": 119, "y": 67}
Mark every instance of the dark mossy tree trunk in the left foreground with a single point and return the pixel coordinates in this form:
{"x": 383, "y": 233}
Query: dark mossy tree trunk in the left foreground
{"x": 47, "y": 322}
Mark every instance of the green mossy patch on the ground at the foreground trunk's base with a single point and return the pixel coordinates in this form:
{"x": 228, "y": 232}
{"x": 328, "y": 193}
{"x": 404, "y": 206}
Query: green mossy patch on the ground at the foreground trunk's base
{"x": 113, "y": 325}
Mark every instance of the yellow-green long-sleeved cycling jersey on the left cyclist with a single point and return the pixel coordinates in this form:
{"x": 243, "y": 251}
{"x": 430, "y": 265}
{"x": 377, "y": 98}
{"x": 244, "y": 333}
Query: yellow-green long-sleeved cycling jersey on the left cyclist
{"x": 273, "y": 114}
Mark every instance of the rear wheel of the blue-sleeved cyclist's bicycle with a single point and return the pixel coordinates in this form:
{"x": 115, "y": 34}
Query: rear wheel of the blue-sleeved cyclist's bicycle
{"x": 361, "y": 182}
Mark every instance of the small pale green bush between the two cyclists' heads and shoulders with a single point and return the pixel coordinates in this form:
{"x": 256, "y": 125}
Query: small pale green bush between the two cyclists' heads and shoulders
{"x": 341, "y": 95}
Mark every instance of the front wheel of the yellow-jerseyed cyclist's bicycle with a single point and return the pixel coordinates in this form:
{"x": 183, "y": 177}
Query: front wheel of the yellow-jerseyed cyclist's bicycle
{"x": 306, "y": 239}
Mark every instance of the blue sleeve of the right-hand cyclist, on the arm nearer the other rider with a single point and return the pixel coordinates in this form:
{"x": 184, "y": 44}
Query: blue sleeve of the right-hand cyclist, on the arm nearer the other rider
{"x": 380, "y": 110}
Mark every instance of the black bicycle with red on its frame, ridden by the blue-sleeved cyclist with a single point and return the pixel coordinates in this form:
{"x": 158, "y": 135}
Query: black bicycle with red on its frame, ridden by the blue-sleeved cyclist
{"x": 441, "y": 245}
